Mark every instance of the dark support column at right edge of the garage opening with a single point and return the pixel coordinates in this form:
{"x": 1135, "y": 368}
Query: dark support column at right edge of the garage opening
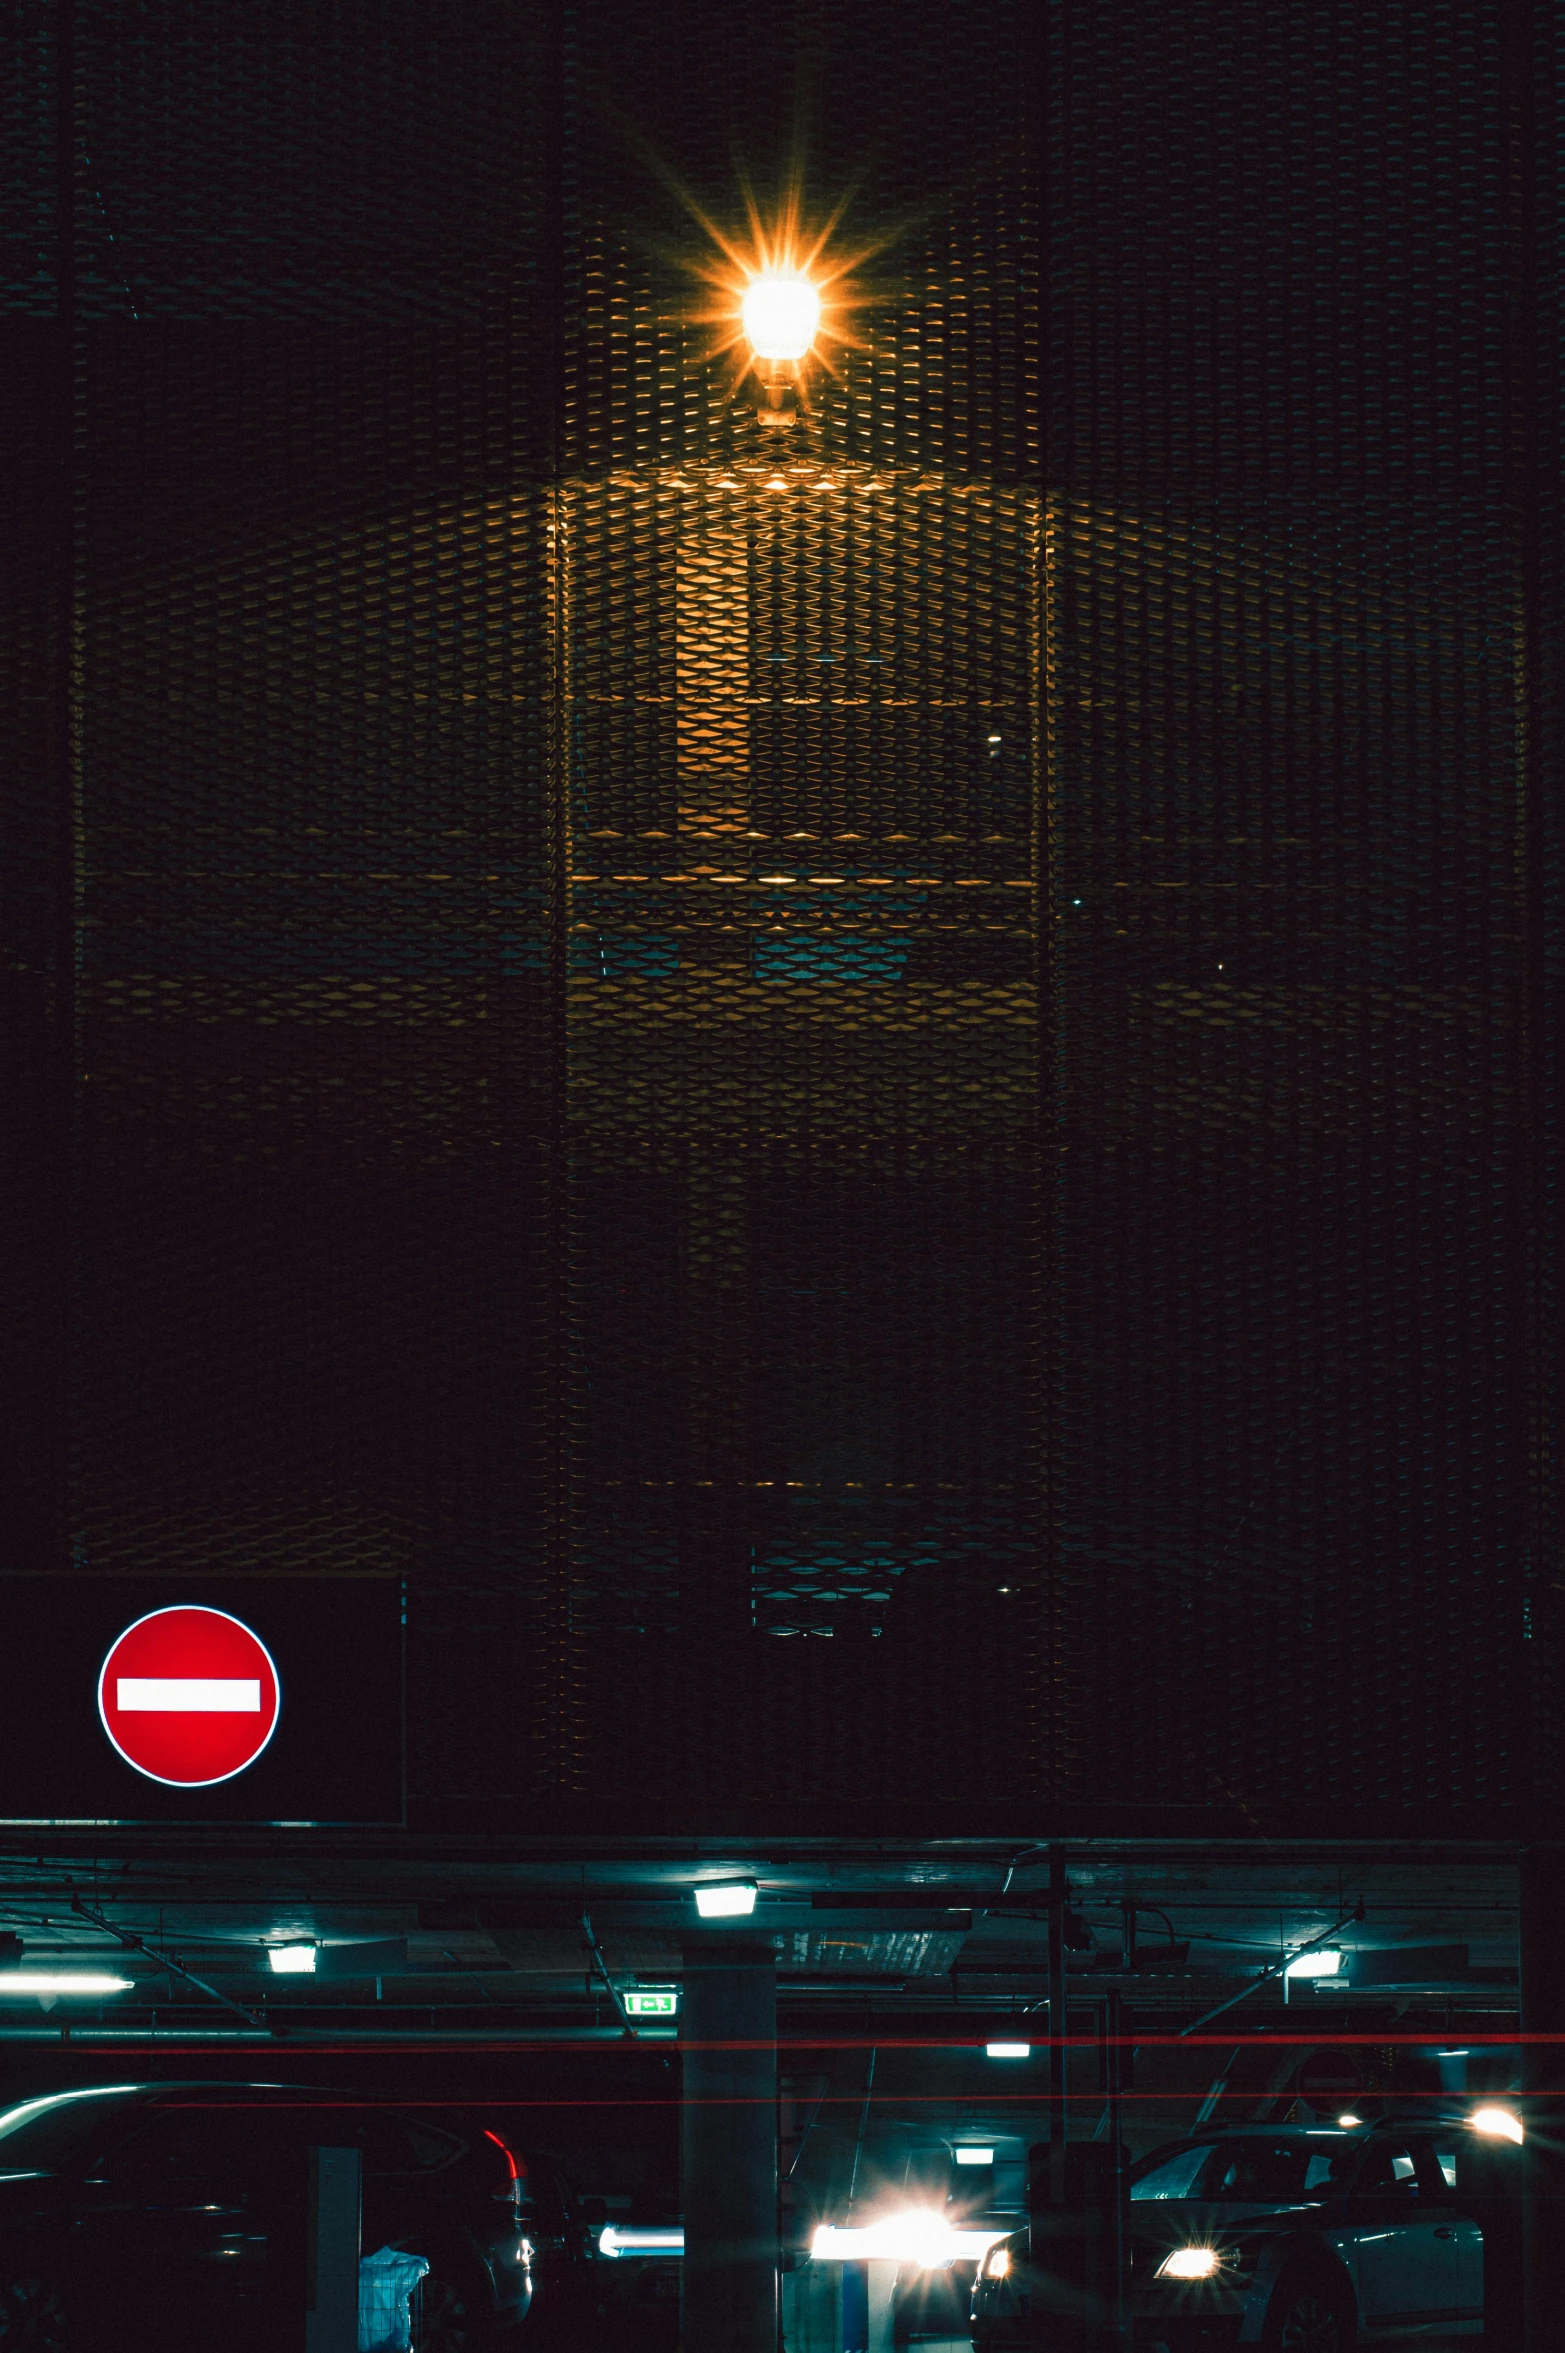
{"x": 1543, "y": 2011}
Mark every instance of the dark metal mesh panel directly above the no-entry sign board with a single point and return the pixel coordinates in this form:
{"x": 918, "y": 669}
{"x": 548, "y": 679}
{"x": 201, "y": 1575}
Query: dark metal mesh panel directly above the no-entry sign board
{"x": 314, "y": 1135}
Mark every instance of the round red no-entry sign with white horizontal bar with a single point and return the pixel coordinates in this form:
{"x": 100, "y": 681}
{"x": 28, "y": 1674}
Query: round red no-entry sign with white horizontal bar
{"x": 189, "y": 1695}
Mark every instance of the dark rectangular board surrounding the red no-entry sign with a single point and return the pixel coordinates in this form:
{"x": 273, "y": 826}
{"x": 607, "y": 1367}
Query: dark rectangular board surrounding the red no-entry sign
{"x": 338, "y": 1747}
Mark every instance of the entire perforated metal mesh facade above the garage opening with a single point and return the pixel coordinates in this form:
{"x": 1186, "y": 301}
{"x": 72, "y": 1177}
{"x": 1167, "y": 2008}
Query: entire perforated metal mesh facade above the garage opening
{"x": 877, "y": 1098}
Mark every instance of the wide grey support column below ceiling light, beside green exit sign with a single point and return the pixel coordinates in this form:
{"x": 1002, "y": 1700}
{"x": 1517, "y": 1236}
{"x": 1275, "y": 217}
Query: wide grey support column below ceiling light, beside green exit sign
{"x": 728, "y": 2145}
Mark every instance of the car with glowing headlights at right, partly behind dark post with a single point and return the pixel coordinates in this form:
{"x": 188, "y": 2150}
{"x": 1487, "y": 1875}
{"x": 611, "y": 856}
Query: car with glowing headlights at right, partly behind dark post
{"x": 1293, "y": 2239}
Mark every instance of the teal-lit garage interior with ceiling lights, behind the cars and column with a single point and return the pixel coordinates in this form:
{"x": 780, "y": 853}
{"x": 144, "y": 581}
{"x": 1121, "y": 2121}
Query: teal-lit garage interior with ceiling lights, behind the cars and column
{"x": 933, "y": 2018}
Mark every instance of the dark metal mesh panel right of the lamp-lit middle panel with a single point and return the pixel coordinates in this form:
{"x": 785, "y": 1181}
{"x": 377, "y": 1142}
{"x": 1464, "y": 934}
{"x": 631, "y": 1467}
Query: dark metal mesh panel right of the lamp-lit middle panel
{"x": 1286, "y": 905}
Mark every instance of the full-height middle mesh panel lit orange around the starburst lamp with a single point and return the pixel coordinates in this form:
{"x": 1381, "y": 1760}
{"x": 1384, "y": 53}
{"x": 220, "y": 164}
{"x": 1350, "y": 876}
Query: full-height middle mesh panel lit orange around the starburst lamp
{"x": 801, "y": 688}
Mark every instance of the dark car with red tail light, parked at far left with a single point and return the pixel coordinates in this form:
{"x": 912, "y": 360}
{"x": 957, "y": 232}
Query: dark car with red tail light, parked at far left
{"x": 175, "y": 2215}
